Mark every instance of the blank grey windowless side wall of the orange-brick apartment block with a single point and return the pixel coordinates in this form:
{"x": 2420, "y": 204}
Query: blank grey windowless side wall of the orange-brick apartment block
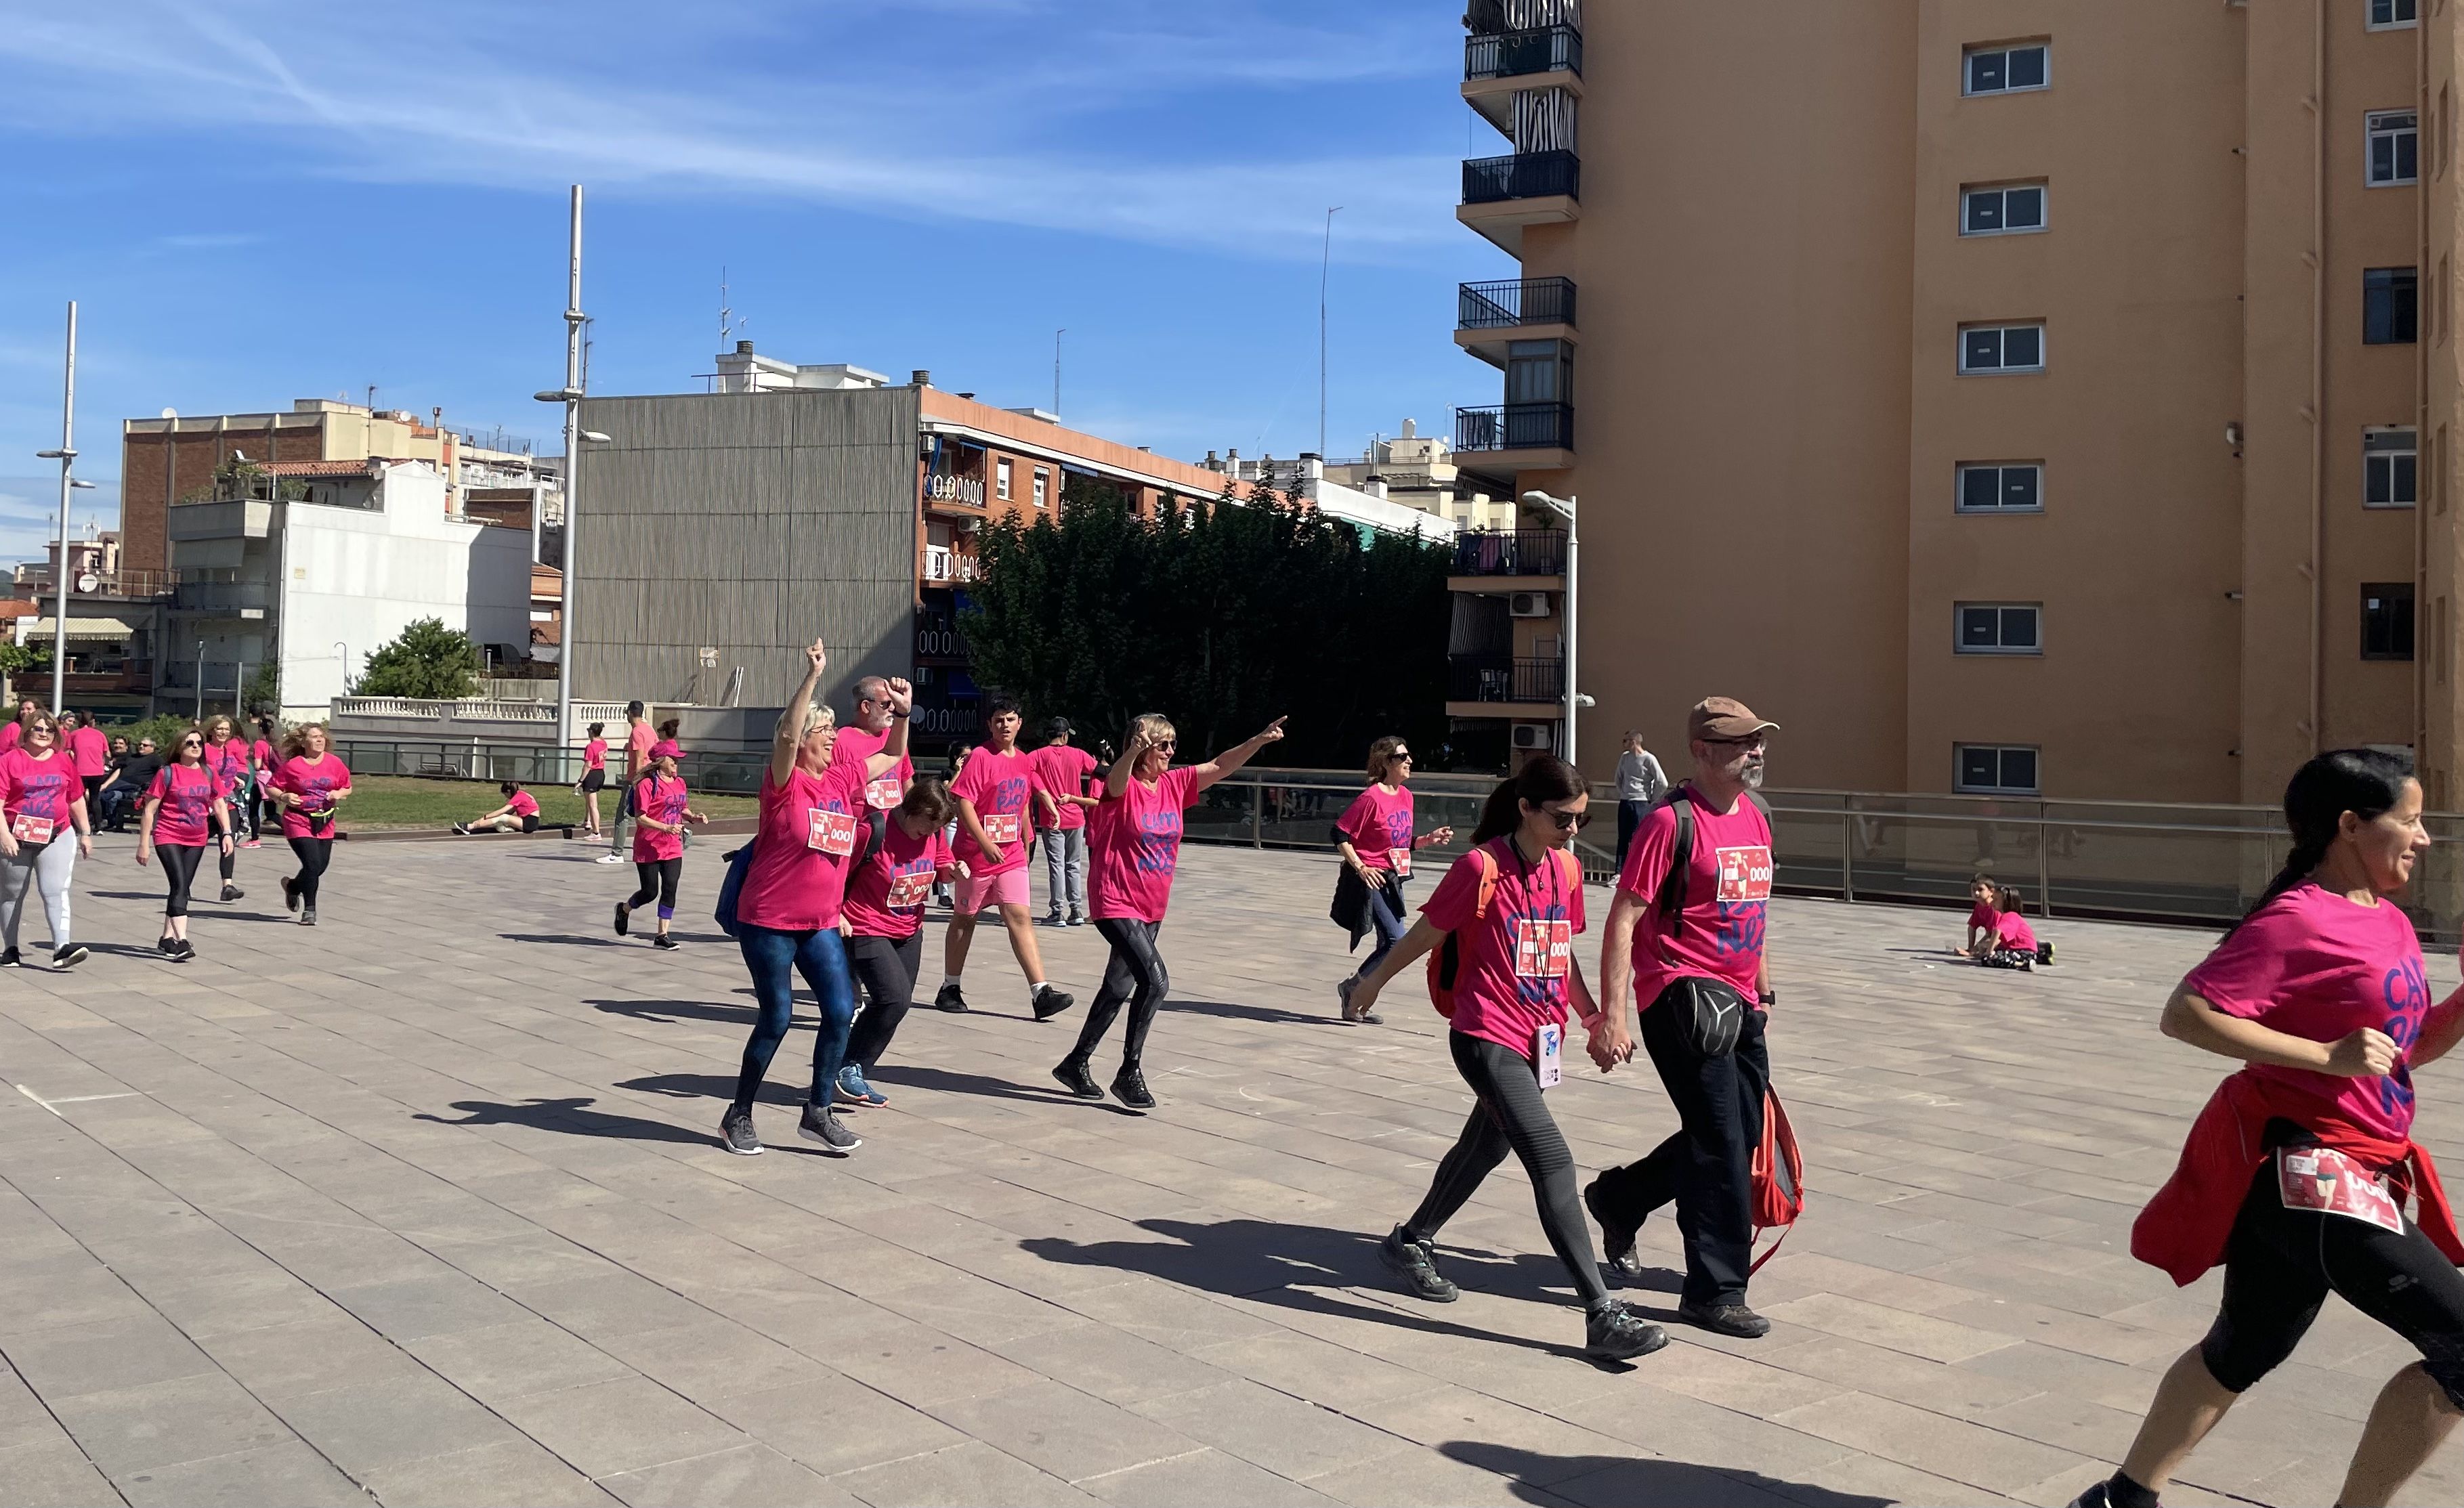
{"x": 748, "y": 524}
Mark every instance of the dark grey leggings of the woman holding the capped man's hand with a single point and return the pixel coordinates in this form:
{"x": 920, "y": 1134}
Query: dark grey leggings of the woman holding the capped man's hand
{"x": 1512, "y": 1117}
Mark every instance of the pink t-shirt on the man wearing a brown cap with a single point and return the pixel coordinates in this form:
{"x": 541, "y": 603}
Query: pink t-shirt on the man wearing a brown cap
{"x": 1726, "y": 896}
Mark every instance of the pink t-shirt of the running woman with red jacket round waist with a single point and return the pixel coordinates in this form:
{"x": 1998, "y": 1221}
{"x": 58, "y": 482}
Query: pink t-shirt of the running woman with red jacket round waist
{"x": 2315, "y": 965}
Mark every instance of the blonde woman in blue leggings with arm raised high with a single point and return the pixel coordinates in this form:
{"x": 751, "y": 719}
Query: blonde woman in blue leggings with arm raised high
{"x": 795, "y": 896}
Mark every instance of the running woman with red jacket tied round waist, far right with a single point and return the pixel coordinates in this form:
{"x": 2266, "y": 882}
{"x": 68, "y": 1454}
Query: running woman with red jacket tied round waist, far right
{"x": 2298, "y": 1169}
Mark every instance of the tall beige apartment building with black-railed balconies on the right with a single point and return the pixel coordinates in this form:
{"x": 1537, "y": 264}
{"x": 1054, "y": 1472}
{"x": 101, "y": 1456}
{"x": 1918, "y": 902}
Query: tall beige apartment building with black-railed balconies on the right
{"x": 2004, "y": 395}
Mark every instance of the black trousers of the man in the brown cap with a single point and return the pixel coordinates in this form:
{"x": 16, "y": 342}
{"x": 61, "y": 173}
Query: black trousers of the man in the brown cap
{"x": 1709, "y": 1167}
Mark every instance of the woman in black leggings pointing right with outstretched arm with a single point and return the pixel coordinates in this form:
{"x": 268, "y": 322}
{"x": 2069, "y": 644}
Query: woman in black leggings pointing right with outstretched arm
{"x": 1135, "y": 846}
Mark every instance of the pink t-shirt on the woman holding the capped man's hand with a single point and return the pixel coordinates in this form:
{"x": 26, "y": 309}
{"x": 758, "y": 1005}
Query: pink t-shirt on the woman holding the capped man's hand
{"x": 1514, "y": 965}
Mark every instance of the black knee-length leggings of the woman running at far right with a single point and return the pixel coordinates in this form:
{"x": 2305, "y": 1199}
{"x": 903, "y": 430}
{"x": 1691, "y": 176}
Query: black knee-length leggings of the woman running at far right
{"x": 2280, "y": 1265}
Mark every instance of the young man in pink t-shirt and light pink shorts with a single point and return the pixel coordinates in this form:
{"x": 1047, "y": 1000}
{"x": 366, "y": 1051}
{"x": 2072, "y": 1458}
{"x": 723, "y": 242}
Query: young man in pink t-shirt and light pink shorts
{"x": 994, "y": 792}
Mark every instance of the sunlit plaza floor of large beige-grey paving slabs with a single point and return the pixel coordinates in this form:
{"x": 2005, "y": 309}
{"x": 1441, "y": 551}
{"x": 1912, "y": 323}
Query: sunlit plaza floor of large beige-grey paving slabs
{"x": 425, "y": 1206}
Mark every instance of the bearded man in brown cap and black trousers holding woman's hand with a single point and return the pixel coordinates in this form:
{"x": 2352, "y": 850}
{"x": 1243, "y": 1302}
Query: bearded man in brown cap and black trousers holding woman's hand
{"x": 1692, "y": 952}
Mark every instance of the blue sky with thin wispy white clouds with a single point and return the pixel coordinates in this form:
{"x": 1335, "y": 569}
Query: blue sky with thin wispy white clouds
{"x": 257, "y": 203}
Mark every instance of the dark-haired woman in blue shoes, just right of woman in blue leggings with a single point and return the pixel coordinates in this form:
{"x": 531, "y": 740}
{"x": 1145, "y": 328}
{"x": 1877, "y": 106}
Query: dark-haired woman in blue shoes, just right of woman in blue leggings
{"x": 886, "y": 920}
